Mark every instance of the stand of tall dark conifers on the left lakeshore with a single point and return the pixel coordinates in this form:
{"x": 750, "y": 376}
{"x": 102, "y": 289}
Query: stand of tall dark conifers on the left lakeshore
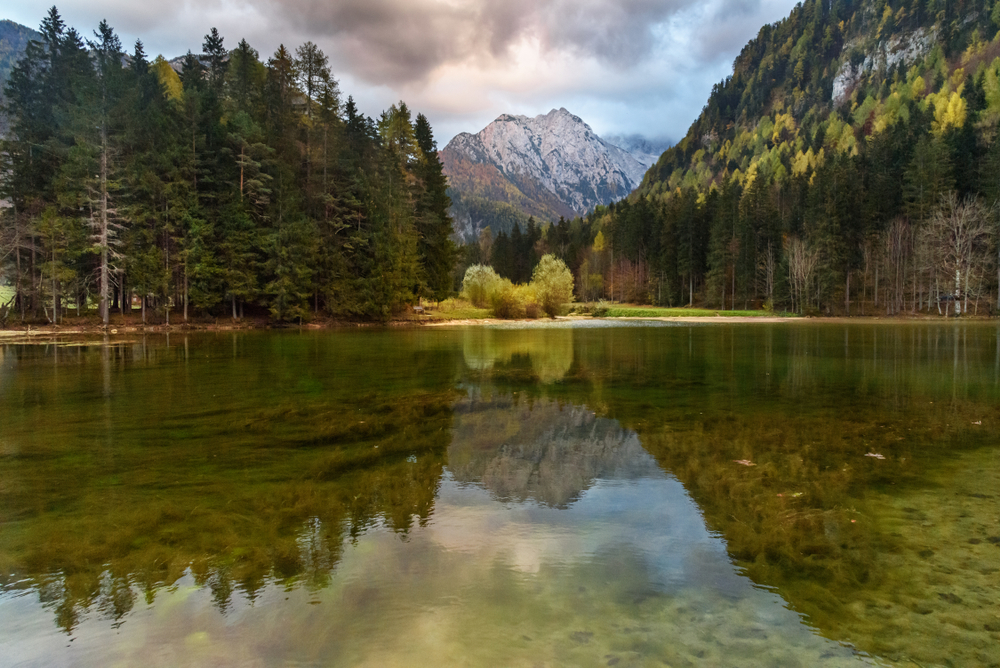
{"x": 236, "y": 184}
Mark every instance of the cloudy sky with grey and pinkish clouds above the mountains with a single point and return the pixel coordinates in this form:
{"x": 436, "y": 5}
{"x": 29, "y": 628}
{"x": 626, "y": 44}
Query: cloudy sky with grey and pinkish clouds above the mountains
{"x": 624, "y": 66}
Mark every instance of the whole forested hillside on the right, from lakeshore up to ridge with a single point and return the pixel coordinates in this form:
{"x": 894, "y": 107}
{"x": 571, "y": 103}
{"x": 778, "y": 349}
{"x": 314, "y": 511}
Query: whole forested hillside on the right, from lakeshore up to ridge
{"x": 849, "y": 165}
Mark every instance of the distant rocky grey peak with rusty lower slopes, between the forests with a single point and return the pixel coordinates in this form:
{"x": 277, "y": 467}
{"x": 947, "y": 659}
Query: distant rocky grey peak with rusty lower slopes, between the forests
{"x": 548, "y": 166}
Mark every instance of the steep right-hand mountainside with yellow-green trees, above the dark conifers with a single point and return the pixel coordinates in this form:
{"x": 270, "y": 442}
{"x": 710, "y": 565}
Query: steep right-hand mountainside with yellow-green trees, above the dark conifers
{"x": 832, "y": 76}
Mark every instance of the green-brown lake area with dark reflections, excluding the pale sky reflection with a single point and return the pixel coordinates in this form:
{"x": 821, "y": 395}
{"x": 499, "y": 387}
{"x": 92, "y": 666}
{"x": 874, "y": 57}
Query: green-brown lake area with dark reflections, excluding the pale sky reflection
{"x": 852, "y": 469}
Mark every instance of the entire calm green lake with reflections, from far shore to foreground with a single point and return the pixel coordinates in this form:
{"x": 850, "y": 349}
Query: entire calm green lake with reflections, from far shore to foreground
{"x": 542, "y": 496}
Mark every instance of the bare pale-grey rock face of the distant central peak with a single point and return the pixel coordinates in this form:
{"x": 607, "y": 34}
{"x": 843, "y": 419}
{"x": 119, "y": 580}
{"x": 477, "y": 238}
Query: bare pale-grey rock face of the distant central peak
{"x": 555, "y": 154}
